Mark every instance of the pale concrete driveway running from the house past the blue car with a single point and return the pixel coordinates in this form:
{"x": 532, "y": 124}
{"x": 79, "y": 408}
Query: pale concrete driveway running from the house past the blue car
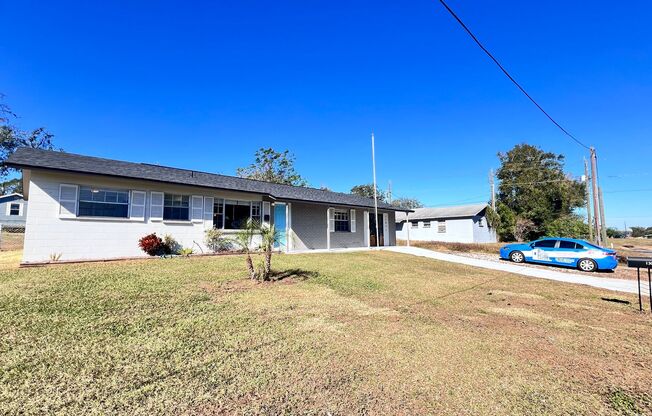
{"x": 618, "y": 285}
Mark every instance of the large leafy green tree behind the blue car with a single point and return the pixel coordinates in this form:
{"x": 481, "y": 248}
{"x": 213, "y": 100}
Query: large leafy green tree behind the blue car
{"x": 534, "y": 187}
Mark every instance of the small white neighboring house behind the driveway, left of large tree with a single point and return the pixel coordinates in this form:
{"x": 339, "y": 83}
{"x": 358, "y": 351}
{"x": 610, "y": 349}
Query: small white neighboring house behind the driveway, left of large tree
{"x": 460, "y": 224}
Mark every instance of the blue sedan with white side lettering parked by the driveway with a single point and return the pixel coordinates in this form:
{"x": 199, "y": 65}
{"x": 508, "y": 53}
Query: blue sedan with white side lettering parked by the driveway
{"x": 562, "y": 252}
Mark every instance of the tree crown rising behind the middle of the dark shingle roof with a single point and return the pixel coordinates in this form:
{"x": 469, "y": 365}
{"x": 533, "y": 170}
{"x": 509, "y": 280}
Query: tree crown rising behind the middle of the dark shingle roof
{"x": 272, "y": 166}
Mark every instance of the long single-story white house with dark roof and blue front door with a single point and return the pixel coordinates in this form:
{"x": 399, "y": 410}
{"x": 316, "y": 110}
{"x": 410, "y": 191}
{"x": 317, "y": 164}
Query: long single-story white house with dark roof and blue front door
{"x": 91, "y": 208}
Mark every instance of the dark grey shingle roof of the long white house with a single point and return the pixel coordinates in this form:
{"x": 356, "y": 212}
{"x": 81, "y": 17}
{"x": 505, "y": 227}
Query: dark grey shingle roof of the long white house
{"x": 28, "y": 158}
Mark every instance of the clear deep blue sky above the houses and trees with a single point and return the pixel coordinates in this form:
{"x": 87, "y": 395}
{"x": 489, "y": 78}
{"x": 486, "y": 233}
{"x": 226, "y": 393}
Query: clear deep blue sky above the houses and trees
{"x": 204, "y": 84}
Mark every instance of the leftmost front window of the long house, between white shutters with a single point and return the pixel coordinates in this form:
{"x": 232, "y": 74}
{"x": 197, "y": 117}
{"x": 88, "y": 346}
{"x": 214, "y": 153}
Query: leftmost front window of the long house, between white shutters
{"x": 94, "y": 202}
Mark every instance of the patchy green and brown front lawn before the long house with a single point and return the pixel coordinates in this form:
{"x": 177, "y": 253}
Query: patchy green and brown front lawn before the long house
{"x": 355, "y": 333}
